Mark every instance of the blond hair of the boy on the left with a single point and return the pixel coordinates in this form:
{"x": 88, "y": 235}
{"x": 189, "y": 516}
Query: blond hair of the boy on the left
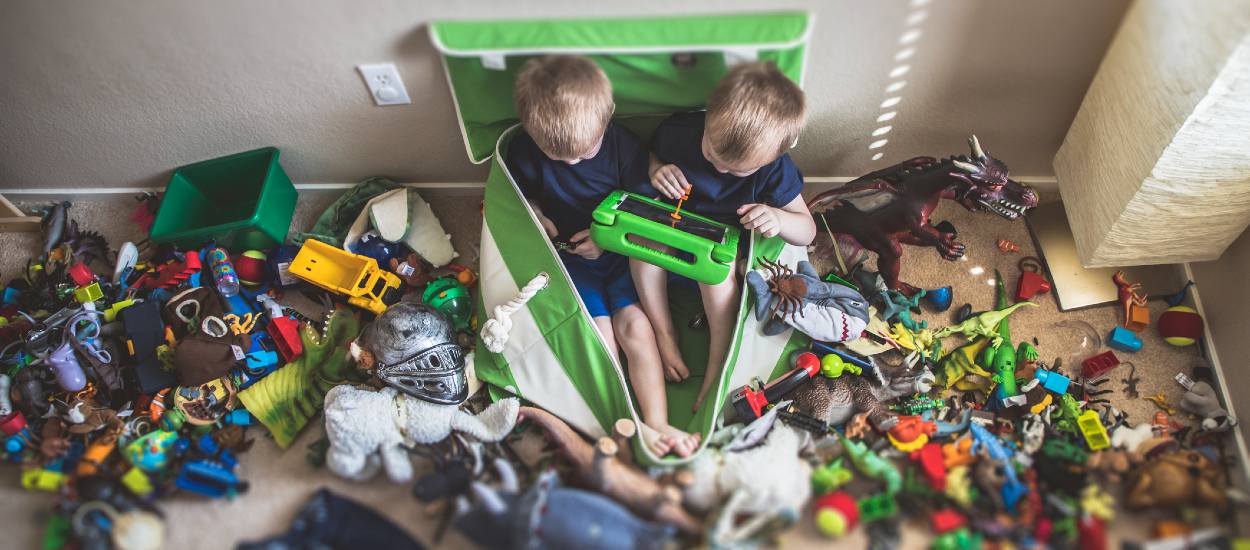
{"x": 566, "y": 103}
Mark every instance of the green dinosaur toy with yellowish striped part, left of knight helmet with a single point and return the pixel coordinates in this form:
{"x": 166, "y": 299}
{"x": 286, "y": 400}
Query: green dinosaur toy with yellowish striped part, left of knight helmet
{"x": 287, "y": 399}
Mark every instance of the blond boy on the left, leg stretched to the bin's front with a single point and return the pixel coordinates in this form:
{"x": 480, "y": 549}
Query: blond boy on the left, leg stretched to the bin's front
{"x": 569, "y": 159}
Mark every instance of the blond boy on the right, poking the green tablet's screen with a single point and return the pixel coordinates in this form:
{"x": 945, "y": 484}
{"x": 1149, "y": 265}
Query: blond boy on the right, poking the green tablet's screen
{"x": 733, "y": 161}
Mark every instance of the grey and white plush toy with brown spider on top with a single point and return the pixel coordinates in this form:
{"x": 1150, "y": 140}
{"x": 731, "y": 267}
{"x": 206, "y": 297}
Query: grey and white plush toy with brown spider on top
{"x": 826, "y": 312}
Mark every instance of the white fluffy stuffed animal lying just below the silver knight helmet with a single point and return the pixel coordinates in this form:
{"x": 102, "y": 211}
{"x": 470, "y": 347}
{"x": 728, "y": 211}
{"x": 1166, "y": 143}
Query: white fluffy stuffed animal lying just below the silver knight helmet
{"x": 369, "y": 429}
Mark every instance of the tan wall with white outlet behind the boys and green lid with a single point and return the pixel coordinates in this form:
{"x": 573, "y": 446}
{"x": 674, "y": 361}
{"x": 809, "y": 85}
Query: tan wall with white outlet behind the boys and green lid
{"x": 114, "y": 93}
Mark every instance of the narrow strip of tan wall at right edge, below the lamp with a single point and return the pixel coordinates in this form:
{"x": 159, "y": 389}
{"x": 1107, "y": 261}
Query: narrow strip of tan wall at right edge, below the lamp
{"x": 1226, "y": 292}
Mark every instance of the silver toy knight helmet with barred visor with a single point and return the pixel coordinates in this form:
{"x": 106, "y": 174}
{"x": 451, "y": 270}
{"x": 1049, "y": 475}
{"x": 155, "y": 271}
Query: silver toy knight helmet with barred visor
{"x": 417, "y": 353}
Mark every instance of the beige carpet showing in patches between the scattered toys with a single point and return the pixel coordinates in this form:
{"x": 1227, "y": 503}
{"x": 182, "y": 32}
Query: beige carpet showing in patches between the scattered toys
{"x": 281, "y": 482}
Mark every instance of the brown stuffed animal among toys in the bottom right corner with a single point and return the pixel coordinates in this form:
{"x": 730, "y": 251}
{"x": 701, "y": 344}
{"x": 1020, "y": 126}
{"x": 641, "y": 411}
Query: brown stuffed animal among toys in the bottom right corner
{"x": 1177, "y": 479}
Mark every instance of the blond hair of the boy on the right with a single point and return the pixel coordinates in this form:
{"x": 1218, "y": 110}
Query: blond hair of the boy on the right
{"x": 756, "y": 112}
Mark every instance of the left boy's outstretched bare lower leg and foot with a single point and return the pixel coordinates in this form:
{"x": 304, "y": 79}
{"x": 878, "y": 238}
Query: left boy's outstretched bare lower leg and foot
{"x": 634, "y": 332}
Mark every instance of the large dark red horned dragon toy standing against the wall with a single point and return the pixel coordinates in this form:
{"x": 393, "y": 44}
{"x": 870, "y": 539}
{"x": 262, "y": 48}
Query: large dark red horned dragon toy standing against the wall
{"x": 891, "y": 208}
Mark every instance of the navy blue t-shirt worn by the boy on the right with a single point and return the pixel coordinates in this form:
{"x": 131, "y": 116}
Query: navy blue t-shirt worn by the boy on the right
{"x": 679, "y": 141}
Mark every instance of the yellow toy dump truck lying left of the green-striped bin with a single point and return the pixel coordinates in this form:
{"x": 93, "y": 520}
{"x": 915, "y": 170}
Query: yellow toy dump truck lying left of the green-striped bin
{"x": 359, "y": 278}
